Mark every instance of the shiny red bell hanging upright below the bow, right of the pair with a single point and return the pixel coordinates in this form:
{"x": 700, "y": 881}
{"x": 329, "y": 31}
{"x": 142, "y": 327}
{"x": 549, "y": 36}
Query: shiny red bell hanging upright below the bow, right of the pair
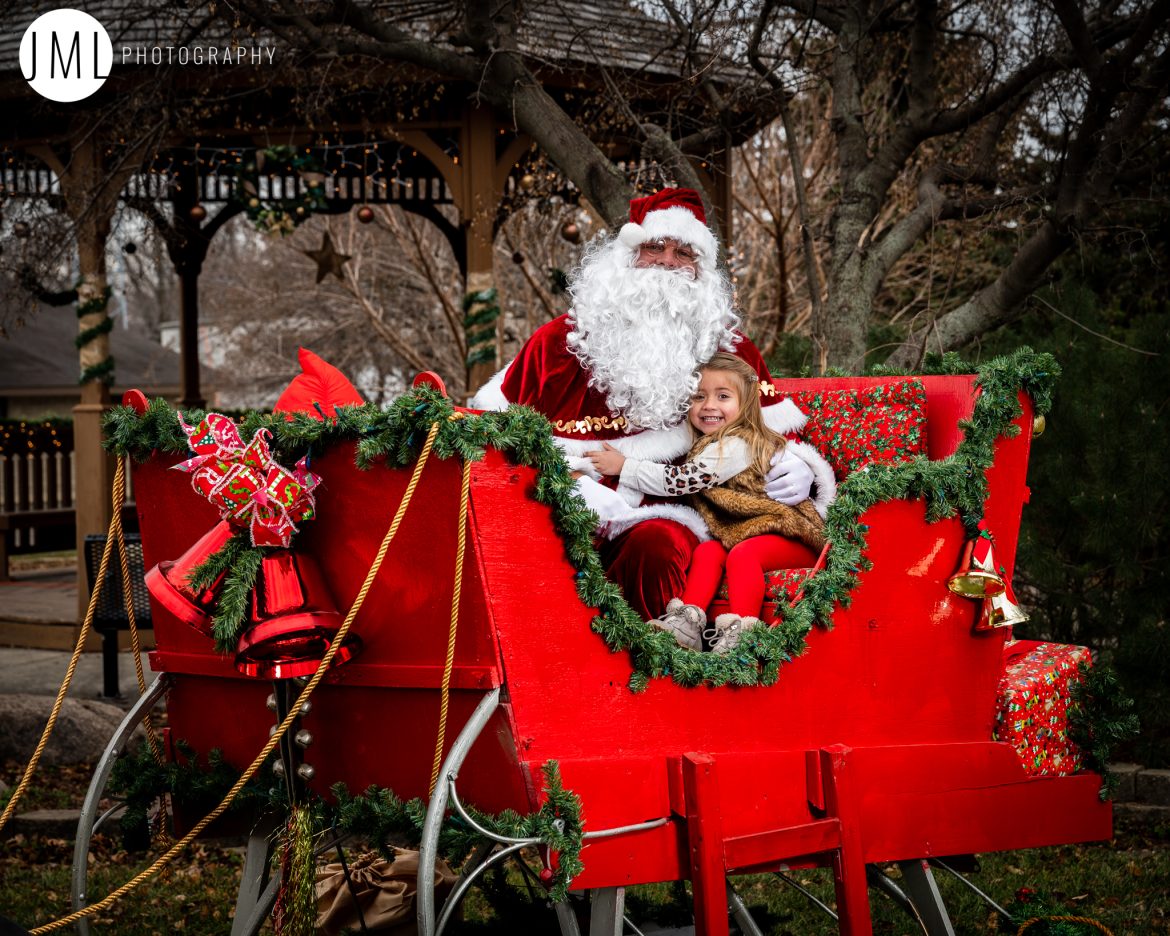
{"x": 293, "y": 621}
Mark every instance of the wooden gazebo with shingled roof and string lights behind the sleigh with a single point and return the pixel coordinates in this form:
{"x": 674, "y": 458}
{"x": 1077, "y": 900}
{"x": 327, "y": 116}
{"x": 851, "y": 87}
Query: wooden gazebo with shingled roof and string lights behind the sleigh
{"x": 395, "y": 136}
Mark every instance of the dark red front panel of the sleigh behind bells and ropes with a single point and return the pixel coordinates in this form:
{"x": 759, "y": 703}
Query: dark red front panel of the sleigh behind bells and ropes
{"x": 376, "y": 719}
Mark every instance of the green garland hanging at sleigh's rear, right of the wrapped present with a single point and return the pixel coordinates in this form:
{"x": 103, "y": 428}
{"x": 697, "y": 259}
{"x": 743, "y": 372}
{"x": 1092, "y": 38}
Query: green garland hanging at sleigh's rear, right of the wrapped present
{"x": 1100, "y": 718}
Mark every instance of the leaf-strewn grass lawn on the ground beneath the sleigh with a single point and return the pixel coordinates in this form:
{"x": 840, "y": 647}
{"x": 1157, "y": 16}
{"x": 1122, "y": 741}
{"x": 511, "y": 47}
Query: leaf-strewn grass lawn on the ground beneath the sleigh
{"x": 1124, "y": 884}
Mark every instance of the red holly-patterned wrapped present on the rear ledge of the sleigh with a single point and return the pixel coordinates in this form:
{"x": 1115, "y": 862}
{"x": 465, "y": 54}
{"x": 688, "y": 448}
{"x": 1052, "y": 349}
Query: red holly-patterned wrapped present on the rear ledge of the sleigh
{"x": 1033, "y": 717}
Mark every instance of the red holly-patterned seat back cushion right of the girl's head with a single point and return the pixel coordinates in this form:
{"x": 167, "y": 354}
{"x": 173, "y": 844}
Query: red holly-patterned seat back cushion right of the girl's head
{"x": 854, "y": 429}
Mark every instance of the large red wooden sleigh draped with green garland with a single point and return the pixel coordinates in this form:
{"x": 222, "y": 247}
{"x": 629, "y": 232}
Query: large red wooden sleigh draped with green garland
{"x": 870, "y": 742}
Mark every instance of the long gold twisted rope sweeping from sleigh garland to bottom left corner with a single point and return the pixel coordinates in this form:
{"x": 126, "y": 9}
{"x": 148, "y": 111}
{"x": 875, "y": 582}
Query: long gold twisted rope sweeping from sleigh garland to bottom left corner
{"x": 281, "y": 731}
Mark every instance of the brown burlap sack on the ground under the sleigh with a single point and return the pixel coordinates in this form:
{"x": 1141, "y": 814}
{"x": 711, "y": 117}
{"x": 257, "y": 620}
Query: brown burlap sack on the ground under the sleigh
{"x": 383, "y": 890}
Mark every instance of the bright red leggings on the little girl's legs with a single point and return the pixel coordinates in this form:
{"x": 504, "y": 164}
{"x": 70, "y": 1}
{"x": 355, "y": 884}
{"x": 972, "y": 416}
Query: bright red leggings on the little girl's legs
{"x": 746, "y": 566}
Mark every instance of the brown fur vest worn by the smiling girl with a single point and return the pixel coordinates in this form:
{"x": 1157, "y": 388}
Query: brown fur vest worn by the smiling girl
{"x": 740, "y": 510}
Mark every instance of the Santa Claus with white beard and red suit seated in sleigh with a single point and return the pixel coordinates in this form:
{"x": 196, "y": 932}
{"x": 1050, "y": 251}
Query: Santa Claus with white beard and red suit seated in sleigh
{"x": 649, "y": 307}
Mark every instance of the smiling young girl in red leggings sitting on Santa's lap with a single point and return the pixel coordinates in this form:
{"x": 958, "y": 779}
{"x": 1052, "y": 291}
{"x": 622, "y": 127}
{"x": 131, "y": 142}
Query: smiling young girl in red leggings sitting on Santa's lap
{"x": 724, "y": 478}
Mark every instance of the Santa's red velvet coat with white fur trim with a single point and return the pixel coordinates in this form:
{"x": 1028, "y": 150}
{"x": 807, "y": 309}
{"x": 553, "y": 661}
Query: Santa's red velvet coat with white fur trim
{"x": 547, "y": 377}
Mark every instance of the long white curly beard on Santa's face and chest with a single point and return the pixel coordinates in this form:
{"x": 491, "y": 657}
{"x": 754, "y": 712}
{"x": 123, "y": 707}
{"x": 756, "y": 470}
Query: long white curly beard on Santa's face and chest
{"x": 642, "y": 333}
